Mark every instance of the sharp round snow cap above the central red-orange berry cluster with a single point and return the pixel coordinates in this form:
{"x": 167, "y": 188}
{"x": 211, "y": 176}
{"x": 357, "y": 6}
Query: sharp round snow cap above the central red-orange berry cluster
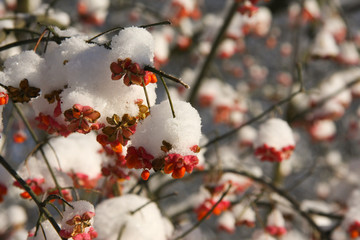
{"x": 182, "y": 132}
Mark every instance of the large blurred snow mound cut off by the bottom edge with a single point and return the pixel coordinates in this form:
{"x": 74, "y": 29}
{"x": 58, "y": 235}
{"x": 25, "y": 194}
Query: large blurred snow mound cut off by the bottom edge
{"x": 113, "y": 215}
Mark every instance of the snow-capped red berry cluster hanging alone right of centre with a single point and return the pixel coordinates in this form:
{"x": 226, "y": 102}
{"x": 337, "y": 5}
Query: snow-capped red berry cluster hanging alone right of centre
{"x": 275, "y": 141}
